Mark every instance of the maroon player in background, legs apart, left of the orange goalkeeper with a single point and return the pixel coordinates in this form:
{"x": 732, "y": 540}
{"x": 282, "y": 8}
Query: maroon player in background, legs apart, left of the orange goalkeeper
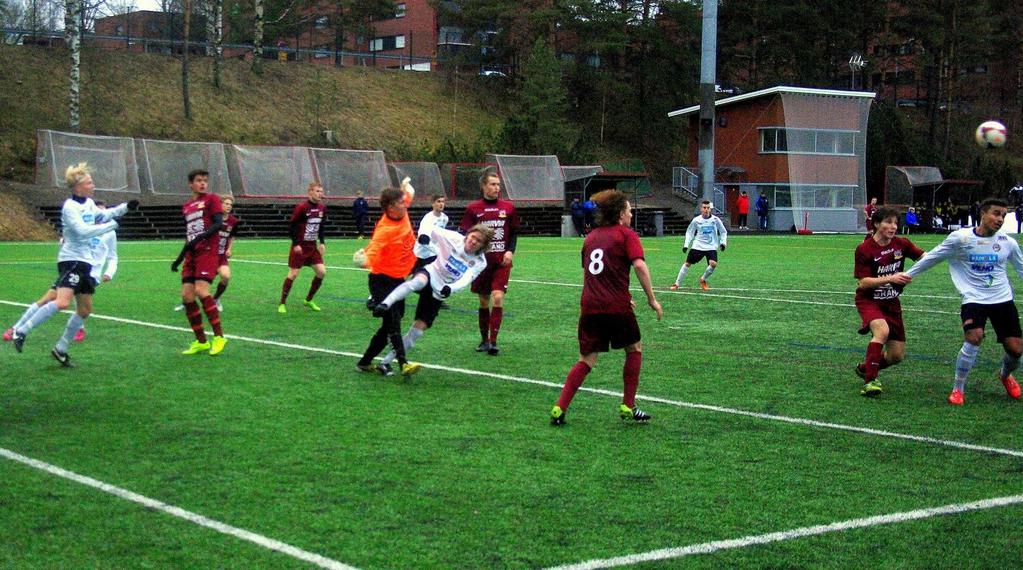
{"x": 308, "y": 222}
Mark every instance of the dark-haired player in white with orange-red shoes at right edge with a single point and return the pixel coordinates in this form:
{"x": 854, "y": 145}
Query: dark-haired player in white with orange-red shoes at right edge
{"x": 977, "y": 259}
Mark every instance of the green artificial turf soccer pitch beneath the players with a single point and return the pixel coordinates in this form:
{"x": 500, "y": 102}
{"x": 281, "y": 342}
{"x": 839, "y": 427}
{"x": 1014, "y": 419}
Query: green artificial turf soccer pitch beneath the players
{"x": 760, "y": 439}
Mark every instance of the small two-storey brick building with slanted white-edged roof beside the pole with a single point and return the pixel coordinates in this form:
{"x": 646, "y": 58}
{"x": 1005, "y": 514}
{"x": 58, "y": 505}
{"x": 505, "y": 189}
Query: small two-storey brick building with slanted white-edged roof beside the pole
{"x": 805, "y": 149}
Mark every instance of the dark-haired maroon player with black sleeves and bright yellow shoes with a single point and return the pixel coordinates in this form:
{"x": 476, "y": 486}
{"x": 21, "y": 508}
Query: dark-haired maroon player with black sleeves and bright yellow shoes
{"x": 204, "y": 220}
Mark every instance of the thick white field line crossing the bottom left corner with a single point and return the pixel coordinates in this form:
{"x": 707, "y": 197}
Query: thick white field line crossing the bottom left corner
{"x": 195, "y": 518}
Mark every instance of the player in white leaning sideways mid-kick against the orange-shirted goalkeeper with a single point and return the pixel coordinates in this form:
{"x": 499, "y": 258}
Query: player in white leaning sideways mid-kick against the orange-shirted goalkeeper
{"x": 459, "y": 261}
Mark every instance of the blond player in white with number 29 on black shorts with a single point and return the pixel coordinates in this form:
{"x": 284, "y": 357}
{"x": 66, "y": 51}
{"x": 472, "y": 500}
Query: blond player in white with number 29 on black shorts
{"x": 81, "y": 223}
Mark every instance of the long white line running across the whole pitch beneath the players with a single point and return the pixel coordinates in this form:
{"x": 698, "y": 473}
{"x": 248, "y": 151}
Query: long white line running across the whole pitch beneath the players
{"x": 611, "y": 393}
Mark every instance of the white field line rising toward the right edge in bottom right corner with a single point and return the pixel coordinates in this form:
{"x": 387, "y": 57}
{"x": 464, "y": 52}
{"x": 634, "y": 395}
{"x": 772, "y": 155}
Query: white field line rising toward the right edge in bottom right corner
{"x": 752, "y": 541}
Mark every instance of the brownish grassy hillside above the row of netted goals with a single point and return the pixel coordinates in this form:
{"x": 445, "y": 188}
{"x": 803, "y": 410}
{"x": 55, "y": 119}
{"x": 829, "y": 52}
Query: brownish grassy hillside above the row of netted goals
{"x": 291, "y": 104}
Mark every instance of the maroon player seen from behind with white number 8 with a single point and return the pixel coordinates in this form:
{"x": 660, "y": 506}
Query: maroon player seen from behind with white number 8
{"x": 607, "y": 317}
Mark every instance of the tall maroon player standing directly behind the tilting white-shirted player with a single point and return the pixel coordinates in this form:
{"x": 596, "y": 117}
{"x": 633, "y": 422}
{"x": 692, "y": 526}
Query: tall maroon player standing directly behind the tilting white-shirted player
{"x": 492, "y": 286}
